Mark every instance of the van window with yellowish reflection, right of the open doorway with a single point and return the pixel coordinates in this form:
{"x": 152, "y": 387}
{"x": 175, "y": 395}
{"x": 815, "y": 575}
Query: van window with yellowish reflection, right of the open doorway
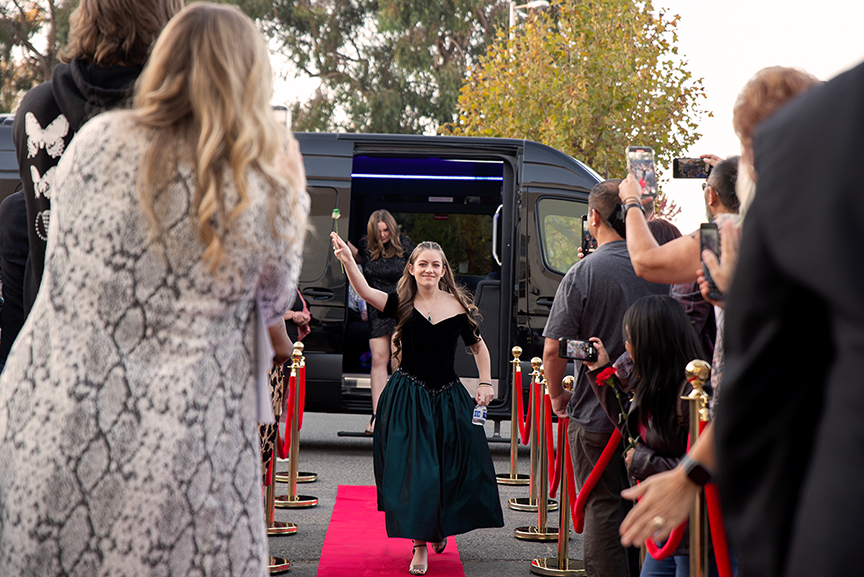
{"x": 560, "y": 224}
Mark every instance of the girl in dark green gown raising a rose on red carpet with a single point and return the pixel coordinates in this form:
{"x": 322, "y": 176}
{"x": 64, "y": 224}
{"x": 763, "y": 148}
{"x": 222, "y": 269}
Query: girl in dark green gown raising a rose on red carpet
{"x": 433, "y": 468}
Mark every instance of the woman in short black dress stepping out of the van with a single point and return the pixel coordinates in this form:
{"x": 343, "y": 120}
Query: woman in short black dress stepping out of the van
{"x": 383, "y": 253}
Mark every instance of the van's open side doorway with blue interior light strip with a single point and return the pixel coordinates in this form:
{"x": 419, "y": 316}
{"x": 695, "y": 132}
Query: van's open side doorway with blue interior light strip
{"x": 459, "y": 193}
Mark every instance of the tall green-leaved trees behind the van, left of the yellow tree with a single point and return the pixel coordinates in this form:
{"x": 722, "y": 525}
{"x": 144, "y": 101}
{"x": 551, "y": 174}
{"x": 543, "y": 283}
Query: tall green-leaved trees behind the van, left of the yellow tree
{"x": 393, "y": 66}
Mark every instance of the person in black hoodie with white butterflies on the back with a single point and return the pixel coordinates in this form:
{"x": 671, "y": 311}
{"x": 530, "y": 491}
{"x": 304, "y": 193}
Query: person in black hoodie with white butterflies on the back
{"x": 109, "y": 41}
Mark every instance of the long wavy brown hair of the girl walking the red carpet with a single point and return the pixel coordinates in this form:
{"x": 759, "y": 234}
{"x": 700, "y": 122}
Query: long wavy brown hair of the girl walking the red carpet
{"x": 407, "y": 291}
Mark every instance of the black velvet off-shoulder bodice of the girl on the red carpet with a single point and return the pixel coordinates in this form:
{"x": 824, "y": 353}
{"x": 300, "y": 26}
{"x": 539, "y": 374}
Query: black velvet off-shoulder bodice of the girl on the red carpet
{"x": 429, "y": 350}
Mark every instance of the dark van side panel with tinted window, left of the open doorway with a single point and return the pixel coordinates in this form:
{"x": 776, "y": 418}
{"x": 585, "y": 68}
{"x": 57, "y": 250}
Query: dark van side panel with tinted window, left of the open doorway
{"x": 322, "y": 281}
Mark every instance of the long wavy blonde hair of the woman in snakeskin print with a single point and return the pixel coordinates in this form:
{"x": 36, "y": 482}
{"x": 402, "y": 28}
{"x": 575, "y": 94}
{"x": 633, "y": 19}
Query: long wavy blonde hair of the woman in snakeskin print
{"x": 205, "y": 98}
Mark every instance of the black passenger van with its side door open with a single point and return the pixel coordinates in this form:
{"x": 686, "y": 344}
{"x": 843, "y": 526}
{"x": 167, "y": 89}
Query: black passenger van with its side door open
{"x": 506, "y": 212}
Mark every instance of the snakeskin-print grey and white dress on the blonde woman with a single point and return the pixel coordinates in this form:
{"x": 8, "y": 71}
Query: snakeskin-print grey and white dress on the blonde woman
{"x": 128, "y": 431}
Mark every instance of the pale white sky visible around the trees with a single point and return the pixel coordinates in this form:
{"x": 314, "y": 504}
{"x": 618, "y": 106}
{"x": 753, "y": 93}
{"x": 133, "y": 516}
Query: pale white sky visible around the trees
{"x": 725, "y": 42}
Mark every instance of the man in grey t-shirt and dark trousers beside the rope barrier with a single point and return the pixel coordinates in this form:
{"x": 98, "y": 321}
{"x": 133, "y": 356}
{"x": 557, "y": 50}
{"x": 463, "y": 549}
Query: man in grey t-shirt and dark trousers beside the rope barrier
{"x": 591, "y": 302}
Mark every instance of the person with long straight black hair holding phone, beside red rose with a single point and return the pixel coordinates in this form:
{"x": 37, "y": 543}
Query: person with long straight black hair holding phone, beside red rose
{"x": 659, "y": 338}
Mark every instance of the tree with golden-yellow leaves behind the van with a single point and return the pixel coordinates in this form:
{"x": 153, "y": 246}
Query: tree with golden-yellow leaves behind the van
{"x": 587, "y": 78}
